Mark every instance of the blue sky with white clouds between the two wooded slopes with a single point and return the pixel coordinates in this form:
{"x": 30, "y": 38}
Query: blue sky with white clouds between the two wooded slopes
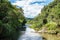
{"x": 31, "y": 7}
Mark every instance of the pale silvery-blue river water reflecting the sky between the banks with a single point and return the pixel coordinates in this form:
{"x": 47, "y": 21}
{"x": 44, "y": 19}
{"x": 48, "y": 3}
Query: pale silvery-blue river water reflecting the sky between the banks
{"x": 30, "y": 34}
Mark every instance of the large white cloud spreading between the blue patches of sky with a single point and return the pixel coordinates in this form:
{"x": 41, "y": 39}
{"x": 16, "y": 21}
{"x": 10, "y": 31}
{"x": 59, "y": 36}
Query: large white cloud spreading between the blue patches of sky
{"x": 30, "y": 10}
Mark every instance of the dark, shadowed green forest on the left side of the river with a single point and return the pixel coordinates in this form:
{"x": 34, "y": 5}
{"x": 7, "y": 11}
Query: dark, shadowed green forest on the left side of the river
{"x": 12, "y": 21}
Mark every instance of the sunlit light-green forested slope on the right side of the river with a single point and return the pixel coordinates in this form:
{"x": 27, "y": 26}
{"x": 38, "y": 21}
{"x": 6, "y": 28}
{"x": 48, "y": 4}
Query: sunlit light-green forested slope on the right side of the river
{"x": 48, "y": 19}
